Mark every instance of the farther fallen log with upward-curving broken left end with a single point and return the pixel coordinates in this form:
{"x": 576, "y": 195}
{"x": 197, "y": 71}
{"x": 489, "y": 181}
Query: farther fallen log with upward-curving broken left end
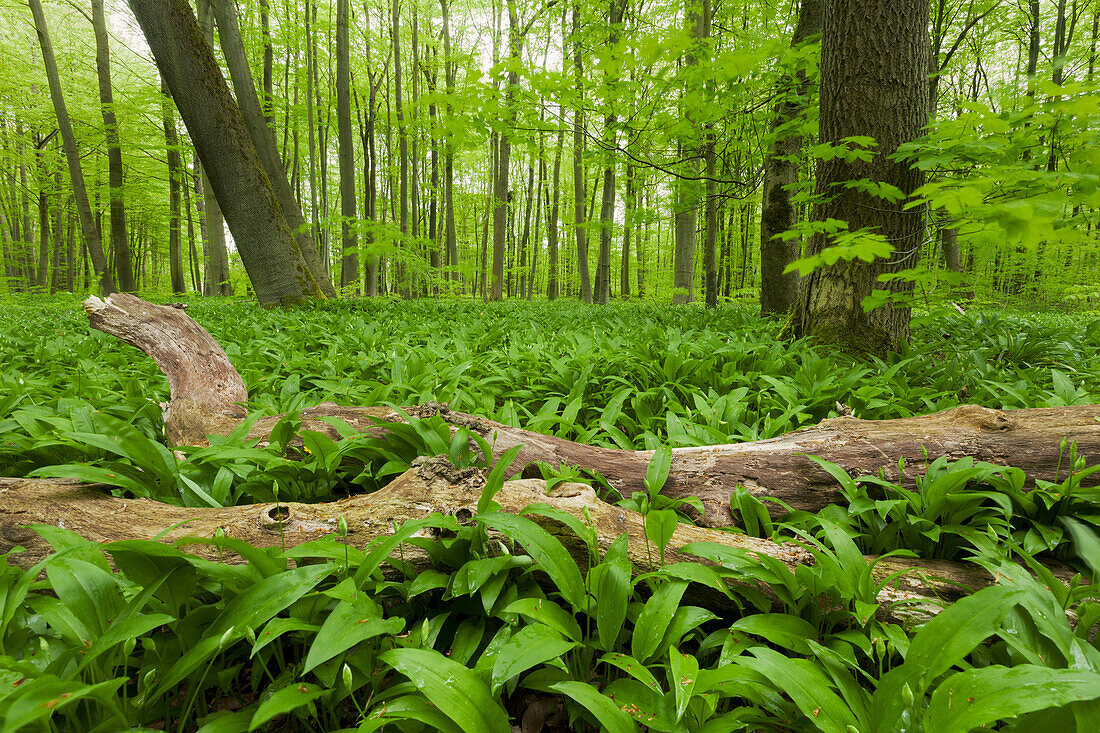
{"x": 205, "y": 386}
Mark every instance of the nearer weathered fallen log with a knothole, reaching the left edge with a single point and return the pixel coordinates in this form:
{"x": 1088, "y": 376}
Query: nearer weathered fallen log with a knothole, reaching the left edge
{"x": 434, "y": 486}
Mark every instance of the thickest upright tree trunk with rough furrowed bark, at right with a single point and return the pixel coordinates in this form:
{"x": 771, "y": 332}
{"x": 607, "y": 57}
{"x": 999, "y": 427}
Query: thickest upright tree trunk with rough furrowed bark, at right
{"x": 875, "y": 82}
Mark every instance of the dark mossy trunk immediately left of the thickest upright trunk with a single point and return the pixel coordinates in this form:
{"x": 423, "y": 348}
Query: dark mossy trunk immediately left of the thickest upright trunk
{"x": 779, "y": 292}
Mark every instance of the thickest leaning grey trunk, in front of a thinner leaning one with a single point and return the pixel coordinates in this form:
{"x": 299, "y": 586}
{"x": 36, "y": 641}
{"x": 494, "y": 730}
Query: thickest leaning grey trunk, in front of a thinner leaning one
{"x": 268, "y": 249}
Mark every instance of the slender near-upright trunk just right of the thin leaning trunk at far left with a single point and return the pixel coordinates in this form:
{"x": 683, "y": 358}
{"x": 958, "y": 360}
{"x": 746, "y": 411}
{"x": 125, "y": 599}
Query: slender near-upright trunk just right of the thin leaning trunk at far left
{"x": 119, "y": 244}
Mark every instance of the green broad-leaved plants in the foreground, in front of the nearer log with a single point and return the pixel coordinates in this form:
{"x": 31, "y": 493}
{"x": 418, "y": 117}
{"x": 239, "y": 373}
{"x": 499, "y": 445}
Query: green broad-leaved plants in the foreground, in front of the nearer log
{"x": 315, "y": 638}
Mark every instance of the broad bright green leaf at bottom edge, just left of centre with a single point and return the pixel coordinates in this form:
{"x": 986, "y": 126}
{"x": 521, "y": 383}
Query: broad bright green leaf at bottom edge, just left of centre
{"x": 458, "y": 693}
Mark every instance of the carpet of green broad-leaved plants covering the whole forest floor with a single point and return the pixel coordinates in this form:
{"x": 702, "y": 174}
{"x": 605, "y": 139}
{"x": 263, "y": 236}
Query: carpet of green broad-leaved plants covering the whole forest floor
{"x": 144, "y": 636}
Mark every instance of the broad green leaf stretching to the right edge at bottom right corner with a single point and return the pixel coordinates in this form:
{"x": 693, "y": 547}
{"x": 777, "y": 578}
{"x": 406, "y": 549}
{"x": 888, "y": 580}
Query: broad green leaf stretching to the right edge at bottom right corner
{"x": 977, "y": 698}
